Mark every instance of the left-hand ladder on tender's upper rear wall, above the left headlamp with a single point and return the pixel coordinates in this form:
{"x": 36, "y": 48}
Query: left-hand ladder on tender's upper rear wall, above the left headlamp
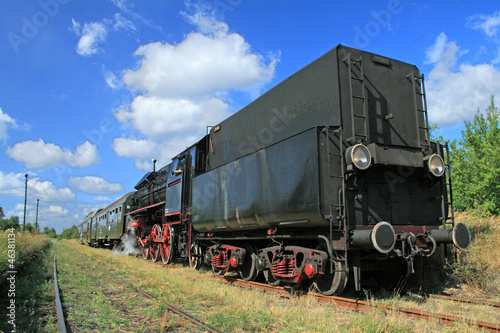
{"x": 359, "y": 130}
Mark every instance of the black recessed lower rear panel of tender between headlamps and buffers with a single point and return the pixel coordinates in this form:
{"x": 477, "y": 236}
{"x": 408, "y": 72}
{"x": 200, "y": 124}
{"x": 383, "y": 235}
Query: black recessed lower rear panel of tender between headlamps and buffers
{"x": 398, "y": 195}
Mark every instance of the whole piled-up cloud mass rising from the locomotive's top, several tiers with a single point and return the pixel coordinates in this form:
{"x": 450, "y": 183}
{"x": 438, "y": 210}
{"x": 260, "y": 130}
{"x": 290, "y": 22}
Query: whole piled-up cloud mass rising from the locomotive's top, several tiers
{"x": 182, "y": 88}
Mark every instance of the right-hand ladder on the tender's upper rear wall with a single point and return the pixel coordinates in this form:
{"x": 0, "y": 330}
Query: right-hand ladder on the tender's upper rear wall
{"x": 420, "y": 105}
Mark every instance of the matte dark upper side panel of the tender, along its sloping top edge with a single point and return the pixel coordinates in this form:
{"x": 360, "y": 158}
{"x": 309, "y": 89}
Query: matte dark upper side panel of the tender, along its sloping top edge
{"x": 306, "y": 99}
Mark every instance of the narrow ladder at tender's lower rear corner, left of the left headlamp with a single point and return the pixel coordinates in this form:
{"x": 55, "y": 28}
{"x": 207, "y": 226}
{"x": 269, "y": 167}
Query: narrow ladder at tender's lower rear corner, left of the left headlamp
{"x": 337, "y": 205}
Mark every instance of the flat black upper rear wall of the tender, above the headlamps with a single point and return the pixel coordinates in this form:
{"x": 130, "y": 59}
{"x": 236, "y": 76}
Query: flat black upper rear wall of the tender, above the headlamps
{"x": 389, "y": 94}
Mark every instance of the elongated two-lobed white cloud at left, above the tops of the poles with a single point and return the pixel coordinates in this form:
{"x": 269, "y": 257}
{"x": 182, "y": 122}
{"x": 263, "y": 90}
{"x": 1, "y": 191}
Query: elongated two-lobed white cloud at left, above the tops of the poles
{"x": 41, "y": 155}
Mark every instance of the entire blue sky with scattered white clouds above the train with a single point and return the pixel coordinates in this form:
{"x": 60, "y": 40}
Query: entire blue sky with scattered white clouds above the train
{"x": 91, "y": 91}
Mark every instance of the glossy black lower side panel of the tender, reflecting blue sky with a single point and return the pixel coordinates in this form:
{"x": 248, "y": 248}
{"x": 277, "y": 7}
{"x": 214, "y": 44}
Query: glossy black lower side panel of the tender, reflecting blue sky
{"x": 278, "y": 185}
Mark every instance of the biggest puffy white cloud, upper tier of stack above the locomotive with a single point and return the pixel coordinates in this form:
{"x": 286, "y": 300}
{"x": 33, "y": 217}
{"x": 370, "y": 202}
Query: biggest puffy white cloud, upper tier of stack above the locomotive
{"x": 201, "y": 64}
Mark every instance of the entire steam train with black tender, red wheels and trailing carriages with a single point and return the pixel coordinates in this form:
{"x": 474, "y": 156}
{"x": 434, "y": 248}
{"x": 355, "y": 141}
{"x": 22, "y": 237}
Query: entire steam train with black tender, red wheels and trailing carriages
{"x": 327, "y": 175}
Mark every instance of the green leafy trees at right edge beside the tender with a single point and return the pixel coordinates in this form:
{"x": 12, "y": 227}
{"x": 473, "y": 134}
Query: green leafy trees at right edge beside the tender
{"x": 476, "y": 163}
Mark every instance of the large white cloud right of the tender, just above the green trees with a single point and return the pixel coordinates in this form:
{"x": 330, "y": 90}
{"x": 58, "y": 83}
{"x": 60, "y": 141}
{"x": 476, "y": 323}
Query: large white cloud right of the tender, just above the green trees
{"x": 455, "y": 91}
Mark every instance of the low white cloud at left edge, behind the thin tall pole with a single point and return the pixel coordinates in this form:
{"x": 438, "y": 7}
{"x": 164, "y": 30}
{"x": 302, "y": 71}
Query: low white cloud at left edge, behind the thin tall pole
{"x": 13, "y": 185}
